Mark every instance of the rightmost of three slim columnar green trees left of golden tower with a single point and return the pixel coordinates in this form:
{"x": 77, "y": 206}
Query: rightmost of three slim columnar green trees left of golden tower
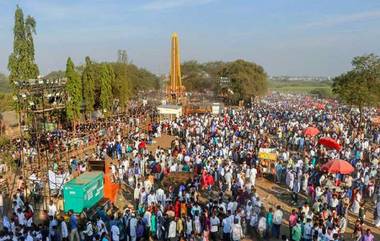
{"x": 106, "y": 77}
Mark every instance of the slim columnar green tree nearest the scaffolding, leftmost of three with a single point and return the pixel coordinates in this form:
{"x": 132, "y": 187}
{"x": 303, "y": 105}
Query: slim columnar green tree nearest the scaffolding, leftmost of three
{"x": 74, "y": 91}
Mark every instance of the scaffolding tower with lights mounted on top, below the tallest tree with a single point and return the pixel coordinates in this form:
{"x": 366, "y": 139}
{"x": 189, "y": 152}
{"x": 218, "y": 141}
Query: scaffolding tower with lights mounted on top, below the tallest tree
{"x": 37, "y": 101}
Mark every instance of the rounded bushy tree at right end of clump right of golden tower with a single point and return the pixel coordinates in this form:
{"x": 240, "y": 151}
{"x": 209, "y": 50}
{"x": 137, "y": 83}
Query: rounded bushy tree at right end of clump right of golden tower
{"x": 248, "y": 80}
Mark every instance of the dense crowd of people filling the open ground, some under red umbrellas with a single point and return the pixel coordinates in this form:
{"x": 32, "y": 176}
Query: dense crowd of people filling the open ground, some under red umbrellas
{"x": 215, "y": 162}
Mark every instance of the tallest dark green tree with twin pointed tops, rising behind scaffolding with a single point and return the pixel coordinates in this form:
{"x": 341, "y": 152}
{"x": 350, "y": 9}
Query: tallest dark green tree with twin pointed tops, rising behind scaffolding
{"x": 21, "y": 63}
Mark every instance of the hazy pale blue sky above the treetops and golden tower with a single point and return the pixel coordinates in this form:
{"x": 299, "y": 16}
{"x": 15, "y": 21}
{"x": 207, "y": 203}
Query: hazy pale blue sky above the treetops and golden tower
{"x": 292, "y": 37}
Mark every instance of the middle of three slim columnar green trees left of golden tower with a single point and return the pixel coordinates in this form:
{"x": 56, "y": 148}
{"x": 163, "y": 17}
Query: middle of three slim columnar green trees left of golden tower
{"x": 88, "y": 86}
